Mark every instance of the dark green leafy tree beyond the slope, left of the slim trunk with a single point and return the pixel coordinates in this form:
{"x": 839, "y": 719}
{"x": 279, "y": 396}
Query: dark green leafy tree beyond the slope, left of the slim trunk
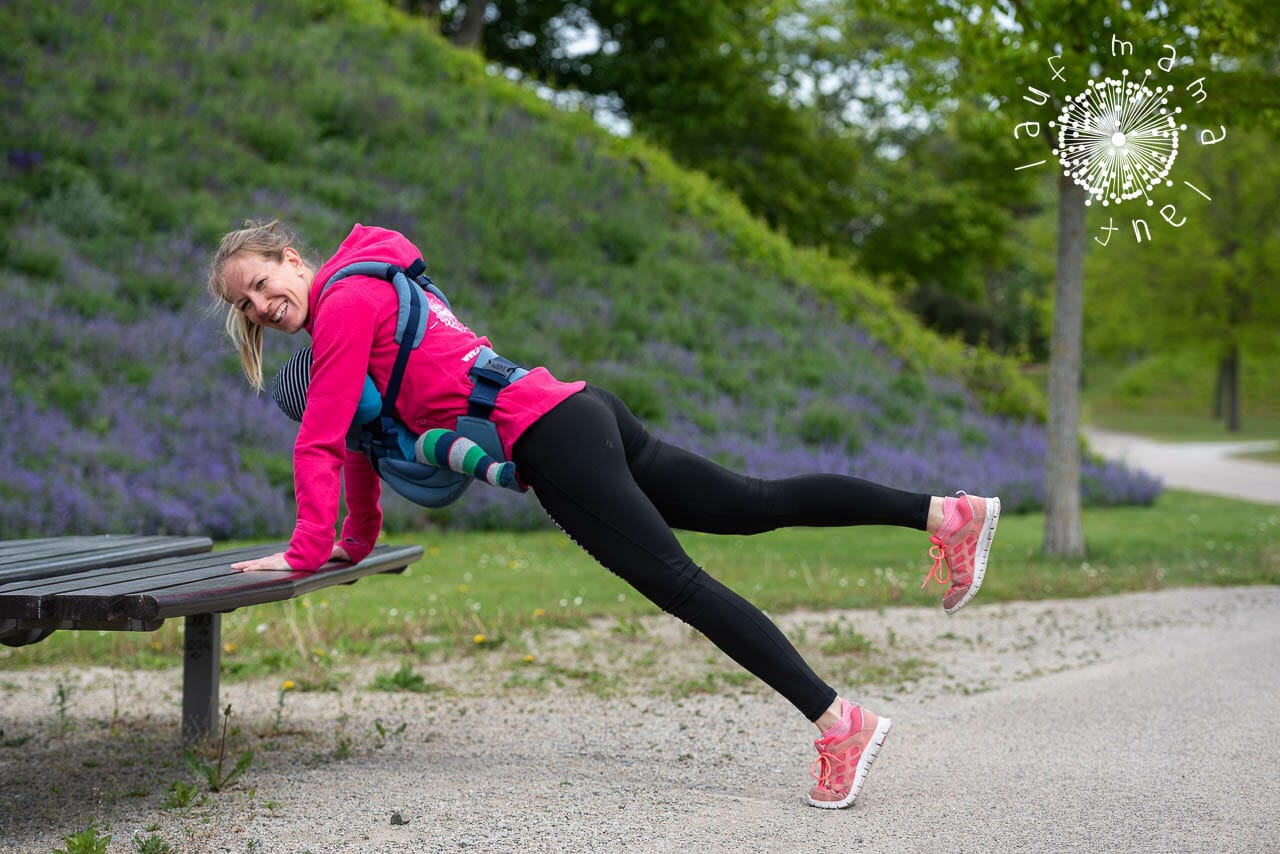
{"x": 938, "y": 221}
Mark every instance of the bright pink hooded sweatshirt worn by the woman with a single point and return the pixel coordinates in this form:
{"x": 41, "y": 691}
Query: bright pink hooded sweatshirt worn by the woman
{"x": 353, "y": 328}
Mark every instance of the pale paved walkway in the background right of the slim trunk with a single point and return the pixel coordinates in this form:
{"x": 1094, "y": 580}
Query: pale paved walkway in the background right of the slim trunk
{"x": 1210, "y": 468}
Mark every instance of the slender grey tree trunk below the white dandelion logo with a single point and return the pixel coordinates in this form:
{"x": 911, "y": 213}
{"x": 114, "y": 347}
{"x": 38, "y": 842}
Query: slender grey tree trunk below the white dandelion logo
{"x": 1064, "y": 529}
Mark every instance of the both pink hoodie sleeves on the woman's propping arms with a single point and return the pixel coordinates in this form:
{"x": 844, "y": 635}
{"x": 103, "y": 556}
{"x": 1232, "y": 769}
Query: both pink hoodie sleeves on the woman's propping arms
{"x": 342, "y": 339}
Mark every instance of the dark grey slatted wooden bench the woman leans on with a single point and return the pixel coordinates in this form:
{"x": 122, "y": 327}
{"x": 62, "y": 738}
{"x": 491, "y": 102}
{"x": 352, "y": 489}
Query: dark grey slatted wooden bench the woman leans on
{"x": 136, "y": 583}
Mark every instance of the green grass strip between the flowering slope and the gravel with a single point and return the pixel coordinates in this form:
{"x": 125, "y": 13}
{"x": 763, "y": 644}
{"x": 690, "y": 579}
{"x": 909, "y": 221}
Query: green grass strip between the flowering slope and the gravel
{"x": 499, "y": 586}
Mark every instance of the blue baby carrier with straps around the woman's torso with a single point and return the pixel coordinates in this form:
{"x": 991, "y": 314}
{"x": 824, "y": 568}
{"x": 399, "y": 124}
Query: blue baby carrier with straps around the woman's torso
{"x": 377, "y": 432}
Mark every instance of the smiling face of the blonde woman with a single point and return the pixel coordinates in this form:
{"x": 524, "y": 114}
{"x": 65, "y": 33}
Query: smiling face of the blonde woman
{"x": 268, "y": 293}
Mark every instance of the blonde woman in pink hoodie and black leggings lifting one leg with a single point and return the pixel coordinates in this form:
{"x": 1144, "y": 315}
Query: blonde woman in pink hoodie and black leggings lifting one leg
{"x": 609, "y": 485}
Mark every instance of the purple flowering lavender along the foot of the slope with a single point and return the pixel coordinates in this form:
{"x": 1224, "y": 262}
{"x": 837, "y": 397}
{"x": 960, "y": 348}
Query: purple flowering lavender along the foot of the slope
{"x": 148, "y": 427}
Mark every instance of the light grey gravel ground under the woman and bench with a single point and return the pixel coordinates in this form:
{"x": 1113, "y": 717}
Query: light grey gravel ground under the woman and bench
{"x": 1145, "y": 723}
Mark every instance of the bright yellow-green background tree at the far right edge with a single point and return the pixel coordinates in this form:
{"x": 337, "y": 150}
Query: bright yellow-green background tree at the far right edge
{"x": 1209, "y": 285}
